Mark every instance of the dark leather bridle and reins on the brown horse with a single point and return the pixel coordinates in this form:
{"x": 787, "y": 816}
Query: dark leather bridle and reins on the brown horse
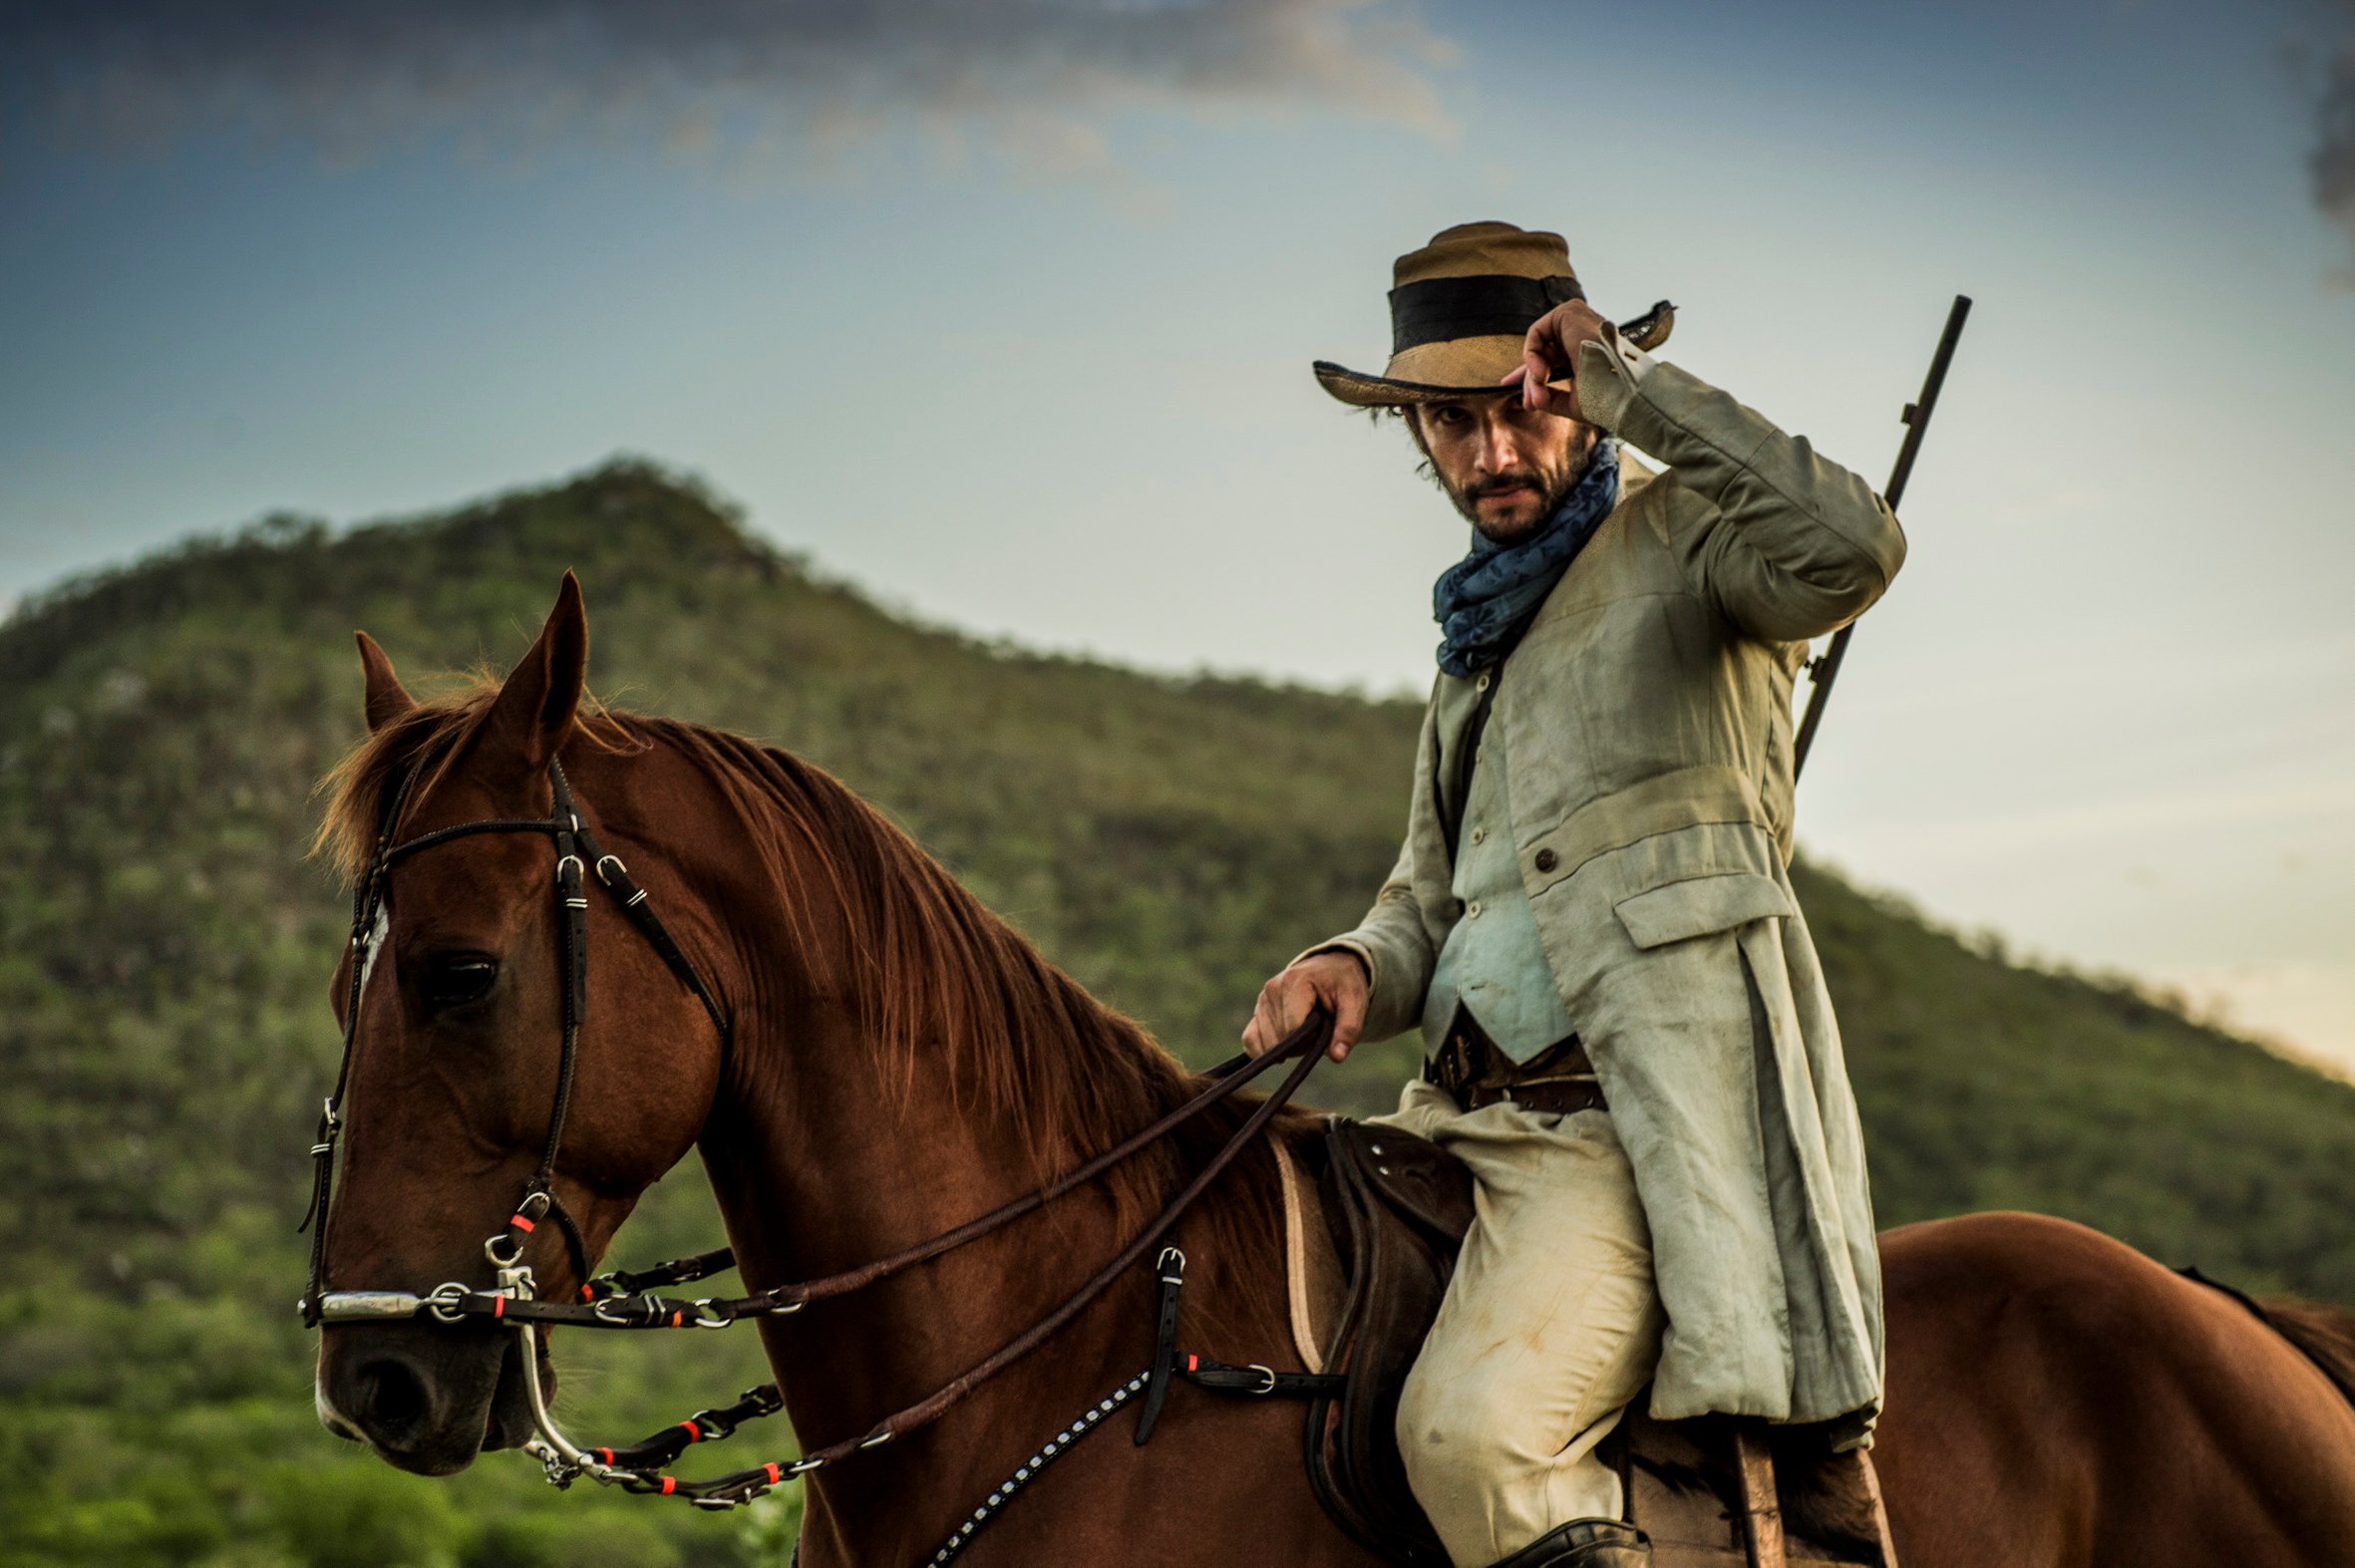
{"x": 628, "y": 1301}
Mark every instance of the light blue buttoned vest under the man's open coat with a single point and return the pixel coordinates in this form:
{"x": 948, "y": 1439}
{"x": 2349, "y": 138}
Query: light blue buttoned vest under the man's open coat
{"x": 1494, "y": 962}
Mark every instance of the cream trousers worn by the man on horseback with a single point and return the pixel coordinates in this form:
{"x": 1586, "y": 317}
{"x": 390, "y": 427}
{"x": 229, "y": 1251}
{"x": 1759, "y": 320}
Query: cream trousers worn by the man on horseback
{"x": 1548, "y": 1329}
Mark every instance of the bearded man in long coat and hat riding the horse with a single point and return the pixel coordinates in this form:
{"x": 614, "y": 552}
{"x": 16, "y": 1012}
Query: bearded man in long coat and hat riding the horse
{"x": 1626, "y": 1030}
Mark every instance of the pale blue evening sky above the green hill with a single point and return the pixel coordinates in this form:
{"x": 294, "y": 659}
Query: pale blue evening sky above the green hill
{"x": 1004, "y": 310}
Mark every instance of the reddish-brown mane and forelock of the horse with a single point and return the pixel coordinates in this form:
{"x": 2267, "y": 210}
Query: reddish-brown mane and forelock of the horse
{"x": 938, "y": 981}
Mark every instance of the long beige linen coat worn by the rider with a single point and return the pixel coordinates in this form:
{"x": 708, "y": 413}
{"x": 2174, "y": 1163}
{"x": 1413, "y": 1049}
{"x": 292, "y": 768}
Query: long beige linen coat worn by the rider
{"x": 1650, "y": 771}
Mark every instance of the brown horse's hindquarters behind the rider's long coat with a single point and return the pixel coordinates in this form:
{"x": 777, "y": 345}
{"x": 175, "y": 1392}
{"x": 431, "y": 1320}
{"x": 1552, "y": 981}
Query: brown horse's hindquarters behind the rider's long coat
{"x": 2099, "y": 1409}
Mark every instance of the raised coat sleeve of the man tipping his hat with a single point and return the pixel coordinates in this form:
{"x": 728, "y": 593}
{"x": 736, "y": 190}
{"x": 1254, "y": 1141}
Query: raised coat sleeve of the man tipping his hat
{"x": 1791, "y": 545}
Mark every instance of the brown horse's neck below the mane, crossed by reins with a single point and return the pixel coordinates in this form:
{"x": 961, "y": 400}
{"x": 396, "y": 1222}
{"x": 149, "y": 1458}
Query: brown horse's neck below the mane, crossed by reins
{"x": 828, "y": 1157}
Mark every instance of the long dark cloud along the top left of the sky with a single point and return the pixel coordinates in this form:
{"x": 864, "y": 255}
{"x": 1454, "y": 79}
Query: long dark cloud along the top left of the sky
{"x": 1033, "y": 77}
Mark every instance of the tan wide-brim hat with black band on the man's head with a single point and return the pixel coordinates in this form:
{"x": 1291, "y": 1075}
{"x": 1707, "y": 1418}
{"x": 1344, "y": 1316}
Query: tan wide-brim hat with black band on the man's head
{"x": 1461, "y": 310}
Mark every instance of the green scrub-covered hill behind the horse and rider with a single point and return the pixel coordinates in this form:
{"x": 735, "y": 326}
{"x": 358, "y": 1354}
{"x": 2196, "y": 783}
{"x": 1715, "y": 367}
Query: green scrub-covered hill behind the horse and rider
{"x": 166, "y": 952}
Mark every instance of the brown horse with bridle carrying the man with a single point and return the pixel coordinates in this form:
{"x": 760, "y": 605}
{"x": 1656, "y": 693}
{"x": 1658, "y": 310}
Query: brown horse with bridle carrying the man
{"x": 901, "y": 1061}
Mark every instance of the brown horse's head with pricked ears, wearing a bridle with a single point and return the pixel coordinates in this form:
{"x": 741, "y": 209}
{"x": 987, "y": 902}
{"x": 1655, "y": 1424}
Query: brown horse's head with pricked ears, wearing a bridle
{"x": 458, "y": 1042}
